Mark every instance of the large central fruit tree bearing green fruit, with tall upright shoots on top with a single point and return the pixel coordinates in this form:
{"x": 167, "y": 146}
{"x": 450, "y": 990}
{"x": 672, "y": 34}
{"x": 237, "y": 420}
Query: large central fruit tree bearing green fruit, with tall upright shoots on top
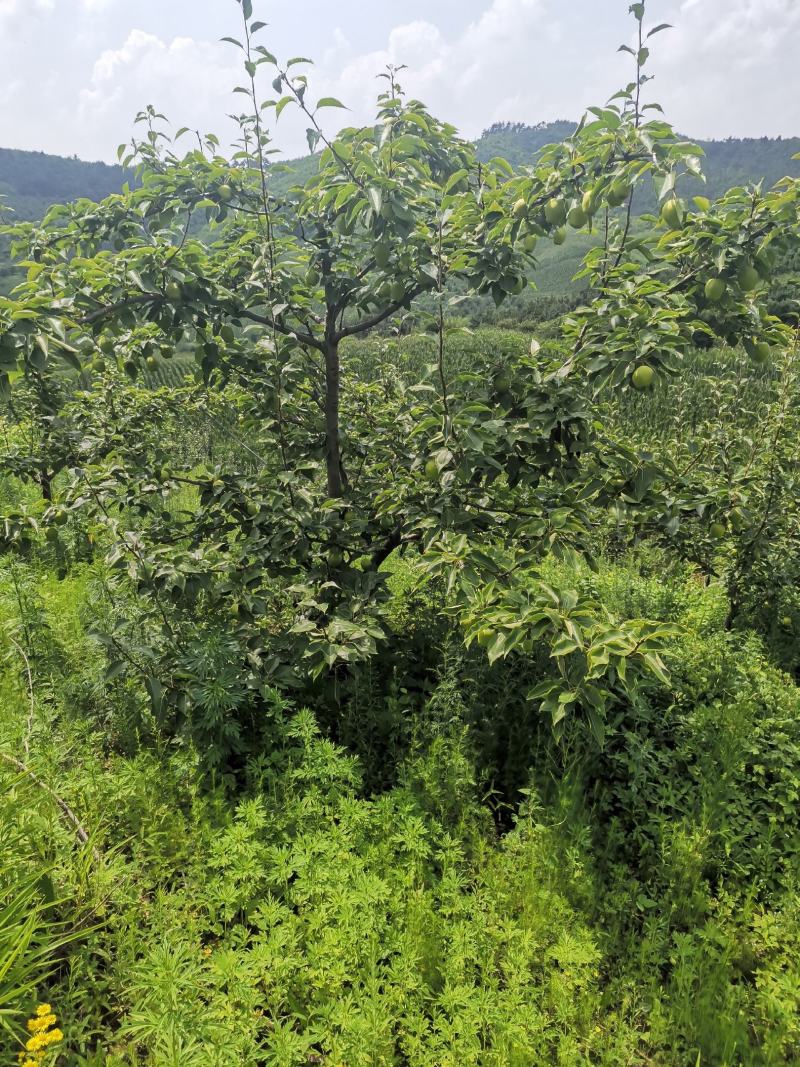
{"x": 485, "y": 475}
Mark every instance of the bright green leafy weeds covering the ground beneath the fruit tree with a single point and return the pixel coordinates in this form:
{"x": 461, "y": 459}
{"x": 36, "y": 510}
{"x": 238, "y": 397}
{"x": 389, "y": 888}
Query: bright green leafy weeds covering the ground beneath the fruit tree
{"x": 504, "y": 900}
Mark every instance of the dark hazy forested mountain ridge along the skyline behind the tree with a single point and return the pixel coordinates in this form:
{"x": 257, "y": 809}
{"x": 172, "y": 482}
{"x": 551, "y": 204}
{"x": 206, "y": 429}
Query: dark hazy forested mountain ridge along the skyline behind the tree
{"x": 31, "y": 182}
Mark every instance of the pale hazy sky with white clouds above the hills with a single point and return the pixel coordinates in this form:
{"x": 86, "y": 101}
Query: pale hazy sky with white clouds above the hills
{"x": 75, "y": 73}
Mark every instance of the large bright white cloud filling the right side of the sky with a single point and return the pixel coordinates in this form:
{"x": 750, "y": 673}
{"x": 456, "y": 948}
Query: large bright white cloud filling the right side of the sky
{"x": 729, "y": 68}
